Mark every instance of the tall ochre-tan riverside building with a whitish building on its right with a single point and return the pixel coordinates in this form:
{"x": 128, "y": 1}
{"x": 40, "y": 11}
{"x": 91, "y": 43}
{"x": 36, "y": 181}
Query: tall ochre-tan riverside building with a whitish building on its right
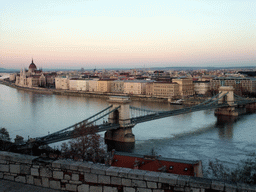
{"x": 186, "y": 86}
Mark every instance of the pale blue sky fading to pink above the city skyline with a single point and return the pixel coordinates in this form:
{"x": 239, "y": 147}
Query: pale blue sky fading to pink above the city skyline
{"x": 127, "y": 34}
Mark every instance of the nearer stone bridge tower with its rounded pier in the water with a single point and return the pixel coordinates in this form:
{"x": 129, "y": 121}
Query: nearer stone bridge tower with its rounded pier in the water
{"x": 122, "y": 139}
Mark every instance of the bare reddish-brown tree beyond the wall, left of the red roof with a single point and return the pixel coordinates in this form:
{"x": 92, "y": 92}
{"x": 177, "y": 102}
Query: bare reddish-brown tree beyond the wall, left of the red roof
{"x": 86, "y": 145}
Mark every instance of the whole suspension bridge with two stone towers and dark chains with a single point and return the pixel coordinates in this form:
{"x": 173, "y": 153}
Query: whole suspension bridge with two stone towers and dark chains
{"x": 122, "y": 118}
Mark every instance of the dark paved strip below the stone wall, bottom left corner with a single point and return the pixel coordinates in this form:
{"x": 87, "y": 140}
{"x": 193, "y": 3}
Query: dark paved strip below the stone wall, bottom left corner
{"x": 11, "y": 186}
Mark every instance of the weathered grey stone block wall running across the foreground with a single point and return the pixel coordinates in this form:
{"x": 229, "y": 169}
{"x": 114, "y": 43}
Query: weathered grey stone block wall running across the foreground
{"x": 85, "y": 176}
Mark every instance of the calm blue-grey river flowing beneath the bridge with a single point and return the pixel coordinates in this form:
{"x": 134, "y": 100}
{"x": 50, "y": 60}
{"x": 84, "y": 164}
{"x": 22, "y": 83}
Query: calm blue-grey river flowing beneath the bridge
{"x": 193, "y": 136}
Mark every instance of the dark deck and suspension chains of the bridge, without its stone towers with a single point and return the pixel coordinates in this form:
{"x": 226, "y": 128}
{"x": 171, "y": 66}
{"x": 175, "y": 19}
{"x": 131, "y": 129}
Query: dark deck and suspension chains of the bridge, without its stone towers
{"x": 149, "y": 115}
